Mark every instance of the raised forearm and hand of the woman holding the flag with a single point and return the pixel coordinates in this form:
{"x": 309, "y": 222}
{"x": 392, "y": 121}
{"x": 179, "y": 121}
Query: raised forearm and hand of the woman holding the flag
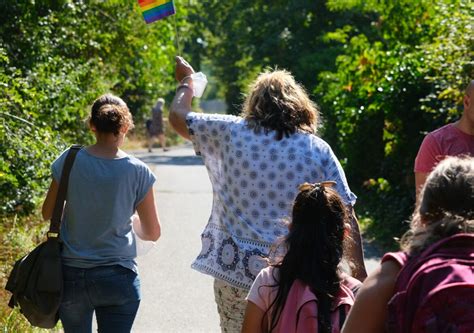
{"x": 181, "y": 104}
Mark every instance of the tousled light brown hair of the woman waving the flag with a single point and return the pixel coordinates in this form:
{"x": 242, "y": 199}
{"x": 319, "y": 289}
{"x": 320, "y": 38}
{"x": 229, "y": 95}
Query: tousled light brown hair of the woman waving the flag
{"x": 277, "y": 102}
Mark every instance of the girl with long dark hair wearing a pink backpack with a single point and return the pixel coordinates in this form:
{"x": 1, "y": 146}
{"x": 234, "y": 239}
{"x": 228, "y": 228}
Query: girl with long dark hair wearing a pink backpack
{"x": 305, "y": 291}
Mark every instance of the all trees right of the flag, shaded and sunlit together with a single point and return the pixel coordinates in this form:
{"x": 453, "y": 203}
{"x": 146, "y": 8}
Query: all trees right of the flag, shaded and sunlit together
{"x": 384, "y": 73}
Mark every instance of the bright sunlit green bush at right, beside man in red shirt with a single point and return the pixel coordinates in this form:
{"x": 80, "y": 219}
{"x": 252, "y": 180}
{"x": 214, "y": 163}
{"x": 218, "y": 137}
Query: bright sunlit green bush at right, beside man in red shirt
{"x": 392, "y": 86}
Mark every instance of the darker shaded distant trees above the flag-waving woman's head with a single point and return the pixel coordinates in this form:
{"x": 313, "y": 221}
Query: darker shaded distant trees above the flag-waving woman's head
{"x": 240, "y": 38}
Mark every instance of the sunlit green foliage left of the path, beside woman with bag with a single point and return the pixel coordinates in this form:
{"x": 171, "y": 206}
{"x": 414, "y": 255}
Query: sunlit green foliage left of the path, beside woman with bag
{"x": 56, "y": 57}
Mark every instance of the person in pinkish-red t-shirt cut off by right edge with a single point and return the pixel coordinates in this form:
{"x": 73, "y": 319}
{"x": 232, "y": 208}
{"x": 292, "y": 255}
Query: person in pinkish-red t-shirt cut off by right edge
{"x": 450, "y": 140}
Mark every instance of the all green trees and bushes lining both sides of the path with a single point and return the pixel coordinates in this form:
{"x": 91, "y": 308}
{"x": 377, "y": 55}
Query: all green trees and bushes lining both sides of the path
{"x": 384, "y": 72}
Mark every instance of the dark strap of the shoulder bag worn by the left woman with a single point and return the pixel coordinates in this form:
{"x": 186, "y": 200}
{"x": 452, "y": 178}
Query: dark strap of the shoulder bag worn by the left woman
{"x": 55, "y": 223}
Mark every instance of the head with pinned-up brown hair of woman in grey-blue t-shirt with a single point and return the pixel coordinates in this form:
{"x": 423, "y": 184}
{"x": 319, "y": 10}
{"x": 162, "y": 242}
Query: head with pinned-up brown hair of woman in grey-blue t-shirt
{"x": 110, "y": 114}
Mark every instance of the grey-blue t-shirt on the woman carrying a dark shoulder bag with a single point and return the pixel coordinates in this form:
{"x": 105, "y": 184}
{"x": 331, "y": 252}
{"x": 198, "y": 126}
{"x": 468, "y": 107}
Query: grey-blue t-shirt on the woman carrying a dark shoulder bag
{"x": 102, "y": 196}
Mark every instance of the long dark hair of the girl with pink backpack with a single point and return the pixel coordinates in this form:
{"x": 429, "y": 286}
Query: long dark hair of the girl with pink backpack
{"x": 315, "y": 247}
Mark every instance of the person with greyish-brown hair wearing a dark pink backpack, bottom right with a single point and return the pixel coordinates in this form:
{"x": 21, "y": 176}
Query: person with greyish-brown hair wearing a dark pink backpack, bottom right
{"x": 445, "y": 219}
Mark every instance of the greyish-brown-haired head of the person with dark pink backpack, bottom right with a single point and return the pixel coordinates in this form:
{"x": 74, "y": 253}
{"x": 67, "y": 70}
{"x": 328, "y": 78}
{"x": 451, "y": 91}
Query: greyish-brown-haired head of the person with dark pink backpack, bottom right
{"x": 446, "y": 206}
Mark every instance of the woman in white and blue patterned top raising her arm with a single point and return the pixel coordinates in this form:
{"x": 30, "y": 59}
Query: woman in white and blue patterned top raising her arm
{"x": 255, "y": 163}
